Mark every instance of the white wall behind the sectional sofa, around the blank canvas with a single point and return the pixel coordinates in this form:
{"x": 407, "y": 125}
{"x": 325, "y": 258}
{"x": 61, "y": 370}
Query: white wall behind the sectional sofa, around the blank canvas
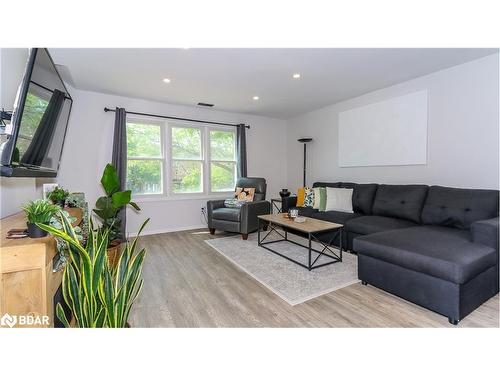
{"x": 463, "y": 133}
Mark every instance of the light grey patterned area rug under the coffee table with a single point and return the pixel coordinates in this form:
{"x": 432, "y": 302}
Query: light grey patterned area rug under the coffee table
{"x": 286, "y": 279}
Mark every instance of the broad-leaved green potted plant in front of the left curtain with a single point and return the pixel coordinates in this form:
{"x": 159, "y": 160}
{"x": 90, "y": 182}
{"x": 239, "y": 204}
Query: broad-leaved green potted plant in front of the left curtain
{"x": 109, "y": 206}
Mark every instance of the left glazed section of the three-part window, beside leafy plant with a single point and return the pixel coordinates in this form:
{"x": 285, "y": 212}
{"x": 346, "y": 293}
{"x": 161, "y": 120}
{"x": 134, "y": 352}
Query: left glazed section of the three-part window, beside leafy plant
{"x": 144, "y": 158}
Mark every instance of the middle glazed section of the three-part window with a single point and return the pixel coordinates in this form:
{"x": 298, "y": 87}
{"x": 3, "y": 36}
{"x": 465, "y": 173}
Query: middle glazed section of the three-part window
{"x": 187, "y": 160}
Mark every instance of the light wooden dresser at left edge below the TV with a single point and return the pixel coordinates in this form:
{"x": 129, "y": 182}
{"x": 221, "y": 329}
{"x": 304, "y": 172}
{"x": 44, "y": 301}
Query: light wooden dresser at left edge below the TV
{"x": 27, "y": 282}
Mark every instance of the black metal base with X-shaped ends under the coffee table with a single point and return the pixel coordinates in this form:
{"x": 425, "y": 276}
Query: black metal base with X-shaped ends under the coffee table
{"x": 327, "y": 251}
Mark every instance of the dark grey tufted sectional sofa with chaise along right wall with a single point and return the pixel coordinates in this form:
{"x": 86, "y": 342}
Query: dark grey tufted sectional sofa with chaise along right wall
{"x": 432, "y": 245}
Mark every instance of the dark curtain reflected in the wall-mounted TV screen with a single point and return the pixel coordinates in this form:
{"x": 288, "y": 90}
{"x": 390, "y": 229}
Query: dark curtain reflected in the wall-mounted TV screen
{"x": 39, "y": 146}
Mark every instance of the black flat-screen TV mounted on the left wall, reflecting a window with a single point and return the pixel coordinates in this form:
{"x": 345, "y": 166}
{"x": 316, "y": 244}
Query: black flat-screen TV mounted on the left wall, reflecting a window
{"x": 39, "y": 120}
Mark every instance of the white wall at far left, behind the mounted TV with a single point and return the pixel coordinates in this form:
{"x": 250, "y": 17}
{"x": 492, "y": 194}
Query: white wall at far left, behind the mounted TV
{"x": 13, "y": 191}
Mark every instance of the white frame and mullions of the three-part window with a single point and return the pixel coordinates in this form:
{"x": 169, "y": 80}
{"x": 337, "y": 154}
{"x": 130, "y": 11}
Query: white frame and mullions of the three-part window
{"x": 166, "y": 144}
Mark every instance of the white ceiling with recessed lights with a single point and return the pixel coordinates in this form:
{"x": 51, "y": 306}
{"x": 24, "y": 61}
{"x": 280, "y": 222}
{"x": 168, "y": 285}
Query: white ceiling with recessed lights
{"x": 229, "y": 78}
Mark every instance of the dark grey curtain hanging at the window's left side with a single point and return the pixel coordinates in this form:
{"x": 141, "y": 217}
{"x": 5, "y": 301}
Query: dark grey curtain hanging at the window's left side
{"x": 119, "y": 159}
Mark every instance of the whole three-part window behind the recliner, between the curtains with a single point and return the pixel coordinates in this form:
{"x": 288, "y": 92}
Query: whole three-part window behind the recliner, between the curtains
{"x": 172, "y": 159}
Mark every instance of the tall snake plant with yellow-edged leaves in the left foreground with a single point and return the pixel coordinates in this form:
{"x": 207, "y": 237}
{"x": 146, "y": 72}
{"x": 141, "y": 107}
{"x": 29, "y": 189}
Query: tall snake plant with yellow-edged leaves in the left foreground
{"x": 98, "y": 295}
